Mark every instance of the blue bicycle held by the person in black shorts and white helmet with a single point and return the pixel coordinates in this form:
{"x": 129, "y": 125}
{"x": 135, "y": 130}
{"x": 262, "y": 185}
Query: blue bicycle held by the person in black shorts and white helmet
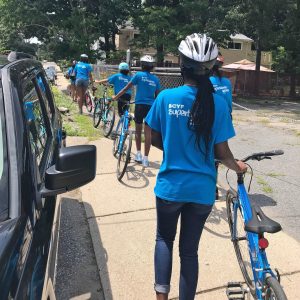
{"x": 123, "y": 142}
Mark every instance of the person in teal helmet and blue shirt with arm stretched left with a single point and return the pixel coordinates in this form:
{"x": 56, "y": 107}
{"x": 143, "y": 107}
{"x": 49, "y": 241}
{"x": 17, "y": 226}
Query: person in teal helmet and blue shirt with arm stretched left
{"x": 119, "y": 81}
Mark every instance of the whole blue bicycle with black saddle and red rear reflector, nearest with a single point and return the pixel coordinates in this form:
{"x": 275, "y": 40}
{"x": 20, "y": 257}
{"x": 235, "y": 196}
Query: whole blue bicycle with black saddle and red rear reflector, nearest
{"x": 247, "y": 225}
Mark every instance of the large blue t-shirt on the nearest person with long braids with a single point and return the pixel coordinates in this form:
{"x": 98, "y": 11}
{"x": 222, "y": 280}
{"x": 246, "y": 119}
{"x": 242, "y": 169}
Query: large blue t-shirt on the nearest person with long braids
{"x": 186, "y": 175}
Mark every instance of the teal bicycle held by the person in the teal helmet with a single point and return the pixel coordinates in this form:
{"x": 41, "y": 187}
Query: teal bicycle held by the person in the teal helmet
{"x": 104, "y": 111}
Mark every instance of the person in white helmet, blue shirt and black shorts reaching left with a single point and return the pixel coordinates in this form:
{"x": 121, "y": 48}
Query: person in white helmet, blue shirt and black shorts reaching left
{"x": 148, "y": 87}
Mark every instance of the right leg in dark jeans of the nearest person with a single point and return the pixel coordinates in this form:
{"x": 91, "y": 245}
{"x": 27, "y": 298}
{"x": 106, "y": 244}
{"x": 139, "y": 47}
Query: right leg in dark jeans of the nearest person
{"x": 193, "y": 217}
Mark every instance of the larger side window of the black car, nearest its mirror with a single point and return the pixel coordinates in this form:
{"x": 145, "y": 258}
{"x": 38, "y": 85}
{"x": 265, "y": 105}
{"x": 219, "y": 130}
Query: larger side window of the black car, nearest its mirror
{"x": 35, "y": 120}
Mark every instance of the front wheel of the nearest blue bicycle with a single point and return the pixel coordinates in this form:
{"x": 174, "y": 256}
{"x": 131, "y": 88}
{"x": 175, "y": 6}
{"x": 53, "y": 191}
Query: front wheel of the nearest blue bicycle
{"x": 240, "y": 242}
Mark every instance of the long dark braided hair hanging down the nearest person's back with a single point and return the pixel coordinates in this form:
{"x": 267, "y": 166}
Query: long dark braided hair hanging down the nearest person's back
{"x": 202, "y": 114}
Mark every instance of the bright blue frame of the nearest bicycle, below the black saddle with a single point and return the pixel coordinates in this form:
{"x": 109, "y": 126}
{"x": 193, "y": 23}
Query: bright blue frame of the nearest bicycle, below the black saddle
{"x": 259, "y": 262}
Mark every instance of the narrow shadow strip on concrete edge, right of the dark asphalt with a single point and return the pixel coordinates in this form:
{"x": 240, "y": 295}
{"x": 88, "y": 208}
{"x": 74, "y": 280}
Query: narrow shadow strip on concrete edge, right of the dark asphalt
{"x": 101, "y": 253}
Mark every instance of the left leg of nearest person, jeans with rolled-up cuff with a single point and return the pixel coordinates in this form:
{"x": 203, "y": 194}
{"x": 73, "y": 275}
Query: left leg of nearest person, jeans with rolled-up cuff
{"x": 167, "y": 218}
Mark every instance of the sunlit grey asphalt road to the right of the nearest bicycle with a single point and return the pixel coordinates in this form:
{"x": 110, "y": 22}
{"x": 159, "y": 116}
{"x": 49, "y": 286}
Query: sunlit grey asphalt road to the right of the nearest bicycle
{"x": 276, "y": 184}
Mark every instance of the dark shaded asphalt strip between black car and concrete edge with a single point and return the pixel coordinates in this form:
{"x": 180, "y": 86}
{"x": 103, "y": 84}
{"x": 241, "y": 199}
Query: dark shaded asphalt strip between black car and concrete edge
{"x": 77, "y": 272}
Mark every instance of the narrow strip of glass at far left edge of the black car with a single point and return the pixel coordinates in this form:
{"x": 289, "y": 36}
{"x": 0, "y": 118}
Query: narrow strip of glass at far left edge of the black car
{"x": 3, "y": 166}
